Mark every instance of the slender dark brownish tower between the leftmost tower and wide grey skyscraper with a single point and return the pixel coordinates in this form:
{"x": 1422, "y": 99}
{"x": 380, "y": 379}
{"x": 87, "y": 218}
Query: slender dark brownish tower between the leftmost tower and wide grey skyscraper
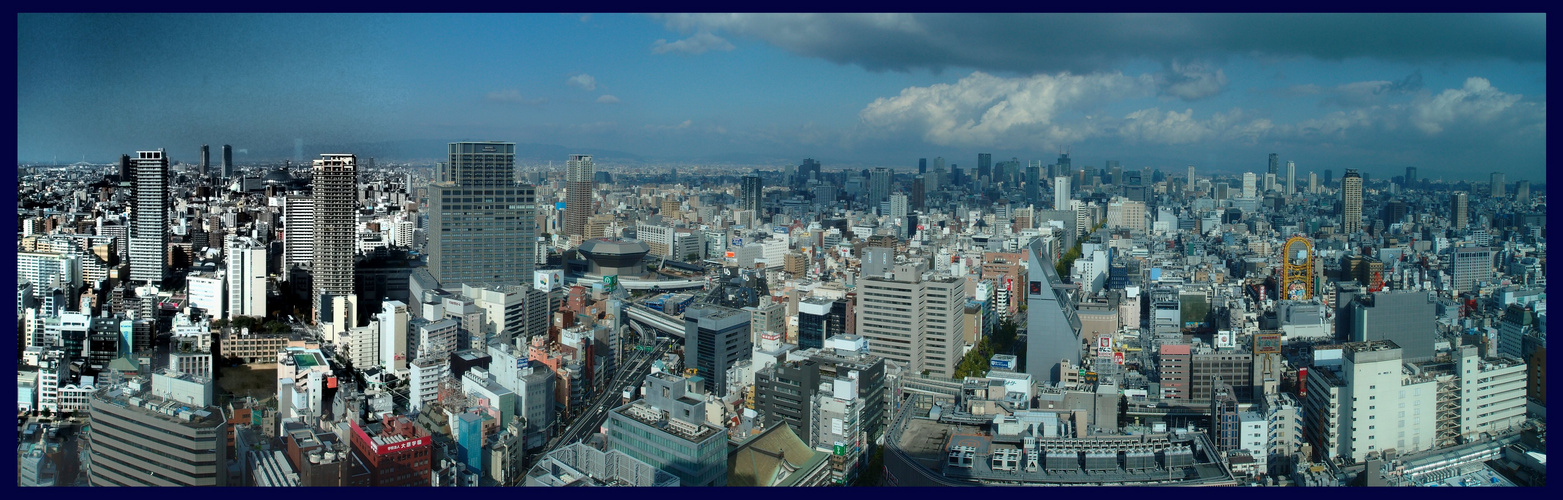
{"x": 335, "y": 227}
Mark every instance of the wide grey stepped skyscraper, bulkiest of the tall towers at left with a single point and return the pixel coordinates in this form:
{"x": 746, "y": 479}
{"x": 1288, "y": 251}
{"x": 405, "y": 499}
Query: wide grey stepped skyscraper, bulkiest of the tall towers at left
{"x": 482, "y": 224}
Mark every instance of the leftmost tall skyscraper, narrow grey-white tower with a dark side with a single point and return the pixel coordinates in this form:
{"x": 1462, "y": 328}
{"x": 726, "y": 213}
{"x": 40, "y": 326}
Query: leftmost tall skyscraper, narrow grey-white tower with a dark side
{"x": 149, "y": 215}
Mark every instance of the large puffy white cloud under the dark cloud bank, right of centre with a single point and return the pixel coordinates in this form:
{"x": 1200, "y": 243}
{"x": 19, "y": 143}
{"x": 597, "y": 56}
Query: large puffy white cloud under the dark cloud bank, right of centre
{"x": 984, "y": 110}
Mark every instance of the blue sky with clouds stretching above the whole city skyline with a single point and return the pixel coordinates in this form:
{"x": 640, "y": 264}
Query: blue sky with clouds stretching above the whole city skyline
{"x": 1457, "y": 96}
